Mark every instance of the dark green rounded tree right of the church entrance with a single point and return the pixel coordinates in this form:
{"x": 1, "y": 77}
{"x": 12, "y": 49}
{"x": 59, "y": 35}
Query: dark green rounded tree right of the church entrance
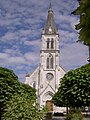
{"x": 74, "y": 88}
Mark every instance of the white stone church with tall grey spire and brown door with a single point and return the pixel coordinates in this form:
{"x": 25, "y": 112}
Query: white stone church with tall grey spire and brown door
{"x": 46, "y": 77}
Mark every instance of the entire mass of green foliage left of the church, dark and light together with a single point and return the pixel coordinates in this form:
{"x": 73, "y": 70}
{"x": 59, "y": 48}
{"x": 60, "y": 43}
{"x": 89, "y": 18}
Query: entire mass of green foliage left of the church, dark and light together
{"x": 18, "y": 100}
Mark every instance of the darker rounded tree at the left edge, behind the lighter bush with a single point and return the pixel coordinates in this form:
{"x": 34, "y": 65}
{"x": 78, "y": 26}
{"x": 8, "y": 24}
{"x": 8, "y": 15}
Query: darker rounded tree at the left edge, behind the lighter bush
{"x": 8, "y": 86}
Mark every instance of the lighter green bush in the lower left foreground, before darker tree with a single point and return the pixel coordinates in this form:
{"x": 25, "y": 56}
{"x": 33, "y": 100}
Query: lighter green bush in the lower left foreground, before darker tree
{"x": 22, "y": 107}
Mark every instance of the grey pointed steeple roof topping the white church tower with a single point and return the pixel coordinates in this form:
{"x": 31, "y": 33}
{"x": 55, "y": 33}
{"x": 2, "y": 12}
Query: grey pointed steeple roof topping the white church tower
{"x": 50, "y": 26}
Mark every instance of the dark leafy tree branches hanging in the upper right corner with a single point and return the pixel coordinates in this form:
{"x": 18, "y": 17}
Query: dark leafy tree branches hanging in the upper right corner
{"x": 84, "y": 26}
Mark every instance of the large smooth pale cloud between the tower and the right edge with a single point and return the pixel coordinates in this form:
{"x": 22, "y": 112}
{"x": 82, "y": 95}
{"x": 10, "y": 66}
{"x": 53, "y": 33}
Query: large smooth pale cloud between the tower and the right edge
{"x": 74, "y": 56}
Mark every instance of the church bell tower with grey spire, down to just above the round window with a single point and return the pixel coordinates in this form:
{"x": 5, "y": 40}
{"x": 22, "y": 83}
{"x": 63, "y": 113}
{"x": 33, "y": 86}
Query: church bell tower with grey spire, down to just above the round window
{"x": 50, "y": 44}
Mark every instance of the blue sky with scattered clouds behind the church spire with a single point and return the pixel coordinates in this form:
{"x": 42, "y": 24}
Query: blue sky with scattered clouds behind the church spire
{"x": 21, "y": 24}
